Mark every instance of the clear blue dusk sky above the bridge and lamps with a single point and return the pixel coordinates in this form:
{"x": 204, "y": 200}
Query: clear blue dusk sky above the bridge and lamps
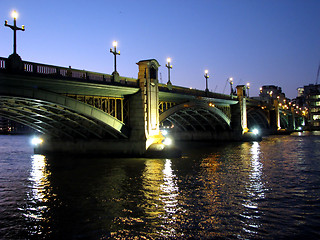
{"x": 264, "y": 42}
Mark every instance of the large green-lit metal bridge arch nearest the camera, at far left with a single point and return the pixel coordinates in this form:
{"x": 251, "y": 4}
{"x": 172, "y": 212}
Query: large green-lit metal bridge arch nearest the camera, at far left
{"x": 57, "y": 115}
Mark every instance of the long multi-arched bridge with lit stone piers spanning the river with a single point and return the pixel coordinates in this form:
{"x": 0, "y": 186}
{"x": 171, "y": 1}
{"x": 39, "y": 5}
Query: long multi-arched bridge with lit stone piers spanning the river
{"x": 93, "y": 112}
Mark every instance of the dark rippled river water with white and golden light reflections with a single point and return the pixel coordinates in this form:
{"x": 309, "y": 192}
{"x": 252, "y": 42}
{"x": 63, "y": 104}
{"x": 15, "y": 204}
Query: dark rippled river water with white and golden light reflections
{"x": 259, "y": 190}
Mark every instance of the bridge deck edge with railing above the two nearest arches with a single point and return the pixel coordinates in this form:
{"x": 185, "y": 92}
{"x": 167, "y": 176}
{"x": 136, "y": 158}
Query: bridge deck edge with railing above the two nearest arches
{"x": 87, "y": 80}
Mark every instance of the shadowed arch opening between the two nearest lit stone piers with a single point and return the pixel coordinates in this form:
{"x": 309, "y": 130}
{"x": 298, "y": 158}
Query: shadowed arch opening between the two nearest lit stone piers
{"x": 195, "y": 117}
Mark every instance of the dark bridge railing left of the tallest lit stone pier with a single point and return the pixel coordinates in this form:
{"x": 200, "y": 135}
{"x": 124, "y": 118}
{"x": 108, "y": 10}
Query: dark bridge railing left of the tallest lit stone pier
{"x": 56, "y": 71}
